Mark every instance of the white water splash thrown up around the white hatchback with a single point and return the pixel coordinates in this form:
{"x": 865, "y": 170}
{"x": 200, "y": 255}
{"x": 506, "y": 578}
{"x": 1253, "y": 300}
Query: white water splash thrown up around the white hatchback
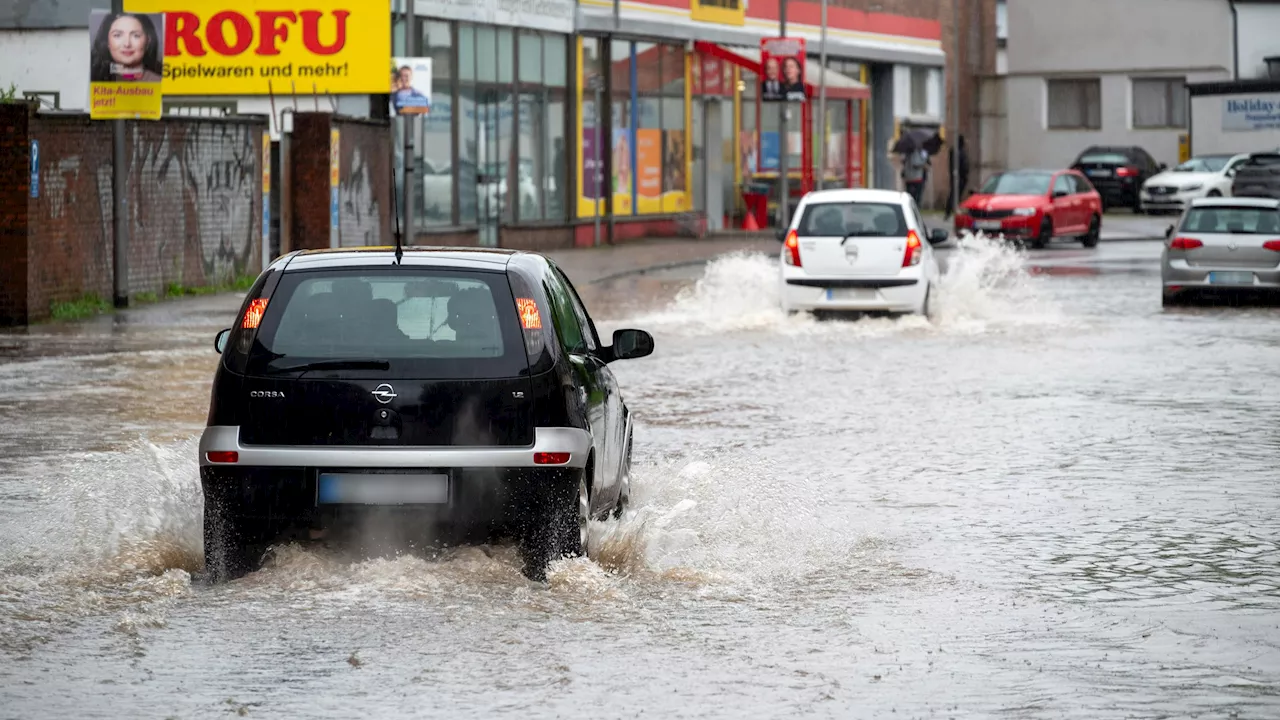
{"x": 985, "y": 286}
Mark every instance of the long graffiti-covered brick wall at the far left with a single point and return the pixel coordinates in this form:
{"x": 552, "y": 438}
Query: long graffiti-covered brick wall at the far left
{"x": 195, "y": 200}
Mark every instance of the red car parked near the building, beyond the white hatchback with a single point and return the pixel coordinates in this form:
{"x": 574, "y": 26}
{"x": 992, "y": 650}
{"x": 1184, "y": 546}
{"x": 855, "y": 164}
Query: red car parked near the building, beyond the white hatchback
{"x": 1036, "y": 207}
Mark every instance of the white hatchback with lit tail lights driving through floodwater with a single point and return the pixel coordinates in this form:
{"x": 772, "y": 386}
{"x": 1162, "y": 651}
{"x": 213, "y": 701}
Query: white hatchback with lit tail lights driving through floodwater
{"x": 860, "y": 252}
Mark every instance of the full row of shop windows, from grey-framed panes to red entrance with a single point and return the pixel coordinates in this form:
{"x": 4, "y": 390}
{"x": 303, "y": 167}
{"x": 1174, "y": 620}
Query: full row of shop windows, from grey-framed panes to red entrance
{"x": 515, "y": 135}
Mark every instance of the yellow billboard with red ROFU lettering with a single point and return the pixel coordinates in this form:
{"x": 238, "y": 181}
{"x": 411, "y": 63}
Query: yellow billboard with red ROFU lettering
{"x": 263, "y": 47}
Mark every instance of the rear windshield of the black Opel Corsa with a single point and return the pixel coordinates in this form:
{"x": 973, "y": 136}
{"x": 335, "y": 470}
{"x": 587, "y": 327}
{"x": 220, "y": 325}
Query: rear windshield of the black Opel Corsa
{"x": 426, "y": 322}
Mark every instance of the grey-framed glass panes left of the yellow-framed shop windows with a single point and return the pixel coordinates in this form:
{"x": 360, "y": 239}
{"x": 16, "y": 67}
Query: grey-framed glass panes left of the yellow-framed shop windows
{"x": 493, "y": 149}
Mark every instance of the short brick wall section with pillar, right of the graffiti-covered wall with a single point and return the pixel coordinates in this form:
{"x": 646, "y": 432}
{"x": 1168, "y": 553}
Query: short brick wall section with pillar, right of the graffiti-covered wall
{"x": 364, "y": 181}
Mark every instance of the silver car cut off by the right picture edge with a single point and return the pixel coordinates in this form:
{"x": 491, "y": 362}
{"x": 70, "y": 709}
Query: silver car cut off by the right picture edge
{"x": 1223, "y": 247}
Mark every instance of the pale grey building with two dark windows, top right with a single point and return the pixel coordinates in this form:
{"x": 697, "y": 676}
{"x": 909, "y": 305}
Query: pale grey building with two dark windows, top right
{"x": 1101, "y": 72}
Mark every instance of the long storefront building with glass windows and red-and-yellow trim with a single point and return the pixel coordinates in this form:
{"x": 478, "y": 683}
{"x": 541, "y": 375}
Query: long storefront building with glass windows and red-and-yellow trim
{"x": 518, "y": 153}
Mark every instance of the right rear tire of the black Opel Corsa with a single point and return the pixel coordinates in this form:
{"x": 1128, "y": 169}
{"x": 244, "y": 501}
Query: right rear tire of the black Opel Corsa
{"x": 556, "y": 525}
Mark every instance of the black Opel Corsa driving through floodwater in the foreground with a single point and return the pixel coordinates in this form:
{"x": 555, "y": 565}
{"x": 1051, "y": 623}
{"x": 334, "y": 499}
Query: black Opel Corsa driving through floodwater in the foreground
{"x": 455, "y": 390}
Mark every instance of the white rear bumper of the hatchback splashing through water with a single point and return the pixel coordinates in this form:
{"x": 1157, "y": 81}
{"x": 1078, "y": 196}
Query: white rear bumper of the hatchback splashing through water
{"x": 871, "y": 295}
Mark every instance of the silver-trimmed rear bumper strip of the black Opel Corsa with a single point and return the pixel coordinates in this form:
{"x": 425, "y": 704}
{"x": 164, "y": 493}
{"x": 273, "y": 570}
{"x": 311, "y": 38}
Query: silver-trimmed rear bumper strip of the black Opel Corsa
{"x": 226, "y": 439}
